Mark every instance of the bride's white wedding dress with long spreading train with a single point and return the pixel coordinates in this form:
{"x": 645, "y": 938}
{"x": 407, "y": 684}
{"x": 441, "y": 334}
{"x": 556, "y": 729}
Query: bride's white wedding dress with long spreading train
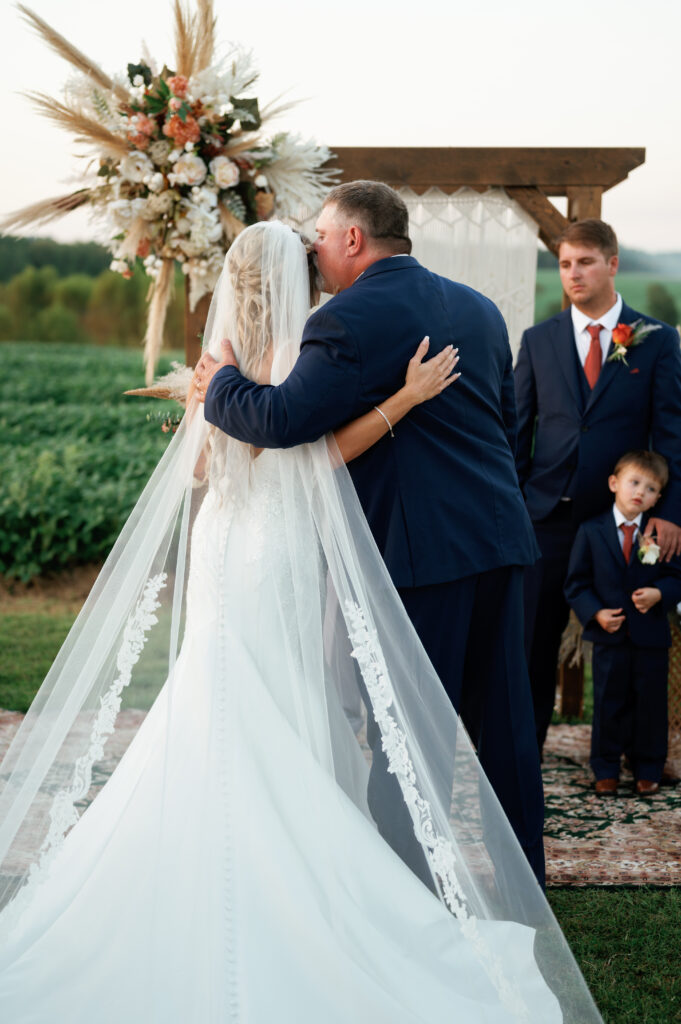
{"x": 256, "y": 909}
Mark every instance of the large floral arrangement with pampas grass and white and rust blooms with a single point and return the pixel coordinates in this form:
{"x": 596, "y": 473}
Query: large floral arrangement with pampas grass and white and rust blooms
{"x": 180, "y": 162}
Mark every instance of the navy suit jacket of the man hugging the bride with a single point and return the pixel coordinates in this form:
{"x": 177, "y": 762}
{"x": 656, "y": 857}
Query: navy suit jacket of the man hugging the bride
{"x": 443, "y": 497}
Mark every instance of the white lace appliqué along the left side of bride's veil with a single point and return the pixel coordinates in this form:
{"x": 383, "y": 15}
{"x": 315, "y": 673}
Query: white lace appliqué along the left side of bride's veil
{"x": 64, "y": 814}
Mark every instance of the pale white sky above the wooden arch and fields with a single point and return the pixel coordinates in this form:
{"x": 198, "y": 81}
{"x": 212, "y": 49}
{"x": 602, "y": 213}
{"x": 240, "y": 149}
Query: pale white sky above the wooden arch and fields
{"x": 533, "y": 73}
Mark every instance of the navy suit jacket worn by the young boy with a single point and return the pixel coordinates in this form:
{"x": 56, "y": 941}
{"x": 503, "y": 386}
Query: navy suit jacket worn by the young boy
{"x": 600, "y": 578}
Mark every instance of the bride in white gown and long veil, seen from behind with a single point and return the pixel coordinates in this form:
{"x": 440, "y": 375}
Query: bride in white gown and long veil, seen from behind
{"x": 219, "y": 859}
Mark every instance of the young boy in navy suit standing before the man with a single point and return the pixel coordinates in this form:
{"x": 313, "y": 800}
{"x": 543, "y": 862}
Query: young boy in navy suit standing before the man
{"x": 622, "y": 592}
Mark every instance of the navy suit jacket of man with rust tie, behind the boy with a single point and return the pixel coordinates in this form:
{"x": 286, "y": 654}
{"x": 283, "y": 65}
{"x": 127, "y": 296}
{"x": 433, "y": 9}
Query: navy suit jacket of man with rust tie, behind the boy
{"x": 577, "y": 443}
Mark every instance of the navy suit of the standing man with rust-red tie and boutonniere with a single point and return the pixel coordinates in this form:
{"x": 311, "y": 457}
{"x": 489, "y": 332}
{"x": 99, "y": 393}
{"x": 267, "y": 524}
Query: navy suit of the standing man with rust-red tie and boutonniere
{"x": 570, "y": 440}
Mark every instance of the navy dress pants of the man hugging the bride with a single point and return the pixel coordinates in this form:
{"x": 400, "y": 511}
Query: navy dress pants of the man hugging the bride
{"x": 473, "y": 630}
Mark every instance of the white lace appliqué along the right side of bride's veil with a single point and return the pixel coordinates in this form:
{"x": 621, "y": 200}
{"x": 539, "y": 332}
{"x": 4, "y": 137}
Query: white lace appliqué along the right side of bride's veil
{"x": 439, "y": 849}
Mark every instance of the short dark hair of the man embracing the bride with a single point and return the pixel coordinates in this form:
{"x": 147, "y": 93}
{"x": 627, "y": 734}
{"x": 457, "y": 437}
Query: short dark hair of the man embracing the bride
{"x": 377, "y": 209}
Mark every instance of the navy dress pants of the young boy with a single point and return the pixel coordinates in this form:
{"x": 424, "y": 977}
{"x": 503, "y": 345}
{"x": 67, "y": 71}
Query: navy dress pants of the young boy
{"x": 630, "y": 710}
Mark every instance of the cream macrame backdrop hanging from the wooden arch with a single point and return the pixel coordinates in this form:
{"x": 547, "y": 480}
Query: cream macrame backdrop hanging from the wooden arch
{"x": 484, "y": 240}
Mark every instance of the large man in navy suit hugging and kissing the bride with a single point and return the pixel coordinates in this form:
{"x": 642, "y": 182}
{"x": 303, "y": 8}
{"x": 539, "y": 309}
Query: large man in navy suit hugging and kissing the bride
{"x": 441, "y": 493}
